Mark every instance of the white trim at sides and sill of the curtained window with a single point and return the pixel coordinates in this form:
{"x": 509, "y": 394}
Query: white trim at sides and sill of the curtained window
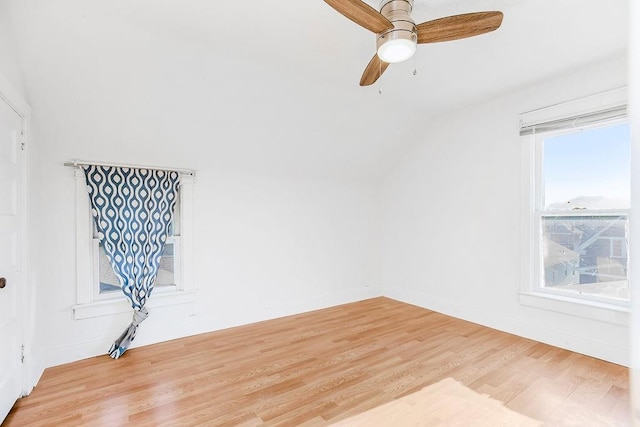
{"x": 90, "y": 305}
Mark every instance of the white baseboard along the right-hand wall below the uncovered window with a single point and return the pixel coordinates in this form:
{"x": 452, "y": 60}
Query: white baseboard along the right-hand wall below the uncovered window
{"x": 588, "y": 346}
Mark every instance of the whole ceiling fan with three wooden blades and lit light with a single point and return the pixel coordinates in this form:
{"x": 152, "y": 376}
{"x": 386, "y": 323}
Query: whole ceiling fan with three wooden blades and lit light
{"x": 397, "y": 34}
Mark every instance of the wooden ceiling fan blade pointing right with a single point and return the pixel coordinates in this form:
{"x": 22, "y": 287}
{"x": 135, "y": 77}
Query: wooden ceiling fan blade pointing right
{"x": 458, "y": 26}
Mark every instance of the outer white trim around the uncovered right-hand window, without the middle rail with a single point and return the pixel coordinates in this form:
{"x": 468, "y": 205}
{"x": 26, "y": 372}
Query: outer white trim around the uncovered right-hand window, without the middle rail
{"x": 530, "y": 294}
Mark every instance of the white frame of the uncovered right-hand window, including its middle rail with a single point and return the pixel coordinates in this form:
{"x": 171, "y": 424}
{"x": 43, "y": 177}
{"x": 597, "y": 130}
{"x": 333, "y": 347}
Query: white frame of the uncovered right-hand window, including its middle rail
{"x": 532, "y": 292}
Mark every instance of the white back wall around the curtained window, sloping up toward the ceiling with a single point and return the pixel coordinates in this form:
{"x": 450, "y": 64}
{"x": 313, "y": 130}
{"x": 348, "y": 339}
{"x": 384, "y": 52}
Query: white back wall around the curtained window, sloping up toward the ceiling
{"x": 286, "y": 211}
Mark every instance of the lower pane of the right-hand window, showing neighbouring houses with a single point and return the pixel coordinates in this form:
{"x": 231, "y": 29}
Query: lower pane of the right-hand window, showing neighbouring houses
{"x": 586, "y": 254}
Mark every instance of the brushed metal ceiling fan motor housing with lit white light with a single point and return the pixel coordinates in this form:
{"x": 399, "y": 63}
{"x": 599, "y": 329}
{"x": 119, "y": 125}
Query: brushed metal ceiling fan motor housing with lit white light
{"x": 399, "y": 43}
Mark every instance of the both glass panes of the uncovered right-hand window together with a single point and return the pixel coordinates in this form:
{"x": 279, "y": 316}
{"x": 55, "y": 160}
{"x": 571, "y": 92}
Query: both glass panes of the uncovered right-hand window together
{"x": 585, "y": 195}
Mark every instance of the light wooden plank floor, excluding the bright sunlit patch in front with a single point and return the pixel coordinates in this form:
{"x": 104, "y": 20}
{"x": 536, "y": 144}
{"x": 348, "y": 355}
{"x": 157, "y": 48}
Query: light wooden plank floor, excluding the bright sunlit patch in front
{"x": 323, "y": 366}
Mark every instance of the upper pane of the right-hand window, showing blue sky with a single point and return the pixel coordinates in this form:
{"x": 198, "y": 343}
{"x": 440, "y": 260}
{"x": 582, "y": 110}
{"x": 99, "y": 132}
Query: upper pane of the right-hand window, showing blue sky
{"x": 588, "y": 169}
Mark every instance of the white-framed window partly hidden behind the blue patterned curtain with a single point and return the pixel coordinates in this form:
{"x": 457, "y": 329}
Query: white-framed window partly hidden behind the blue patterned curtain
{"x": 97, "y": 288}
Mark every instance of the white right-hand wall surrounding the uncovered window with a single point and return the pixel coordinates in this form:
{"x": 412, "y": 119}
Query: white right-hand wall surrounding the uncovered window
{"x": 451, "y": 221}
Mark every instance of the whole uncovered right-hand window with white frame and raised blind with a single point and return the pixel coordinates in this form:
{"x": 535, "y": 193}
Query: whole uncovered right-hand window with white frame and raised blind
{"x": 578, "y": 188}
